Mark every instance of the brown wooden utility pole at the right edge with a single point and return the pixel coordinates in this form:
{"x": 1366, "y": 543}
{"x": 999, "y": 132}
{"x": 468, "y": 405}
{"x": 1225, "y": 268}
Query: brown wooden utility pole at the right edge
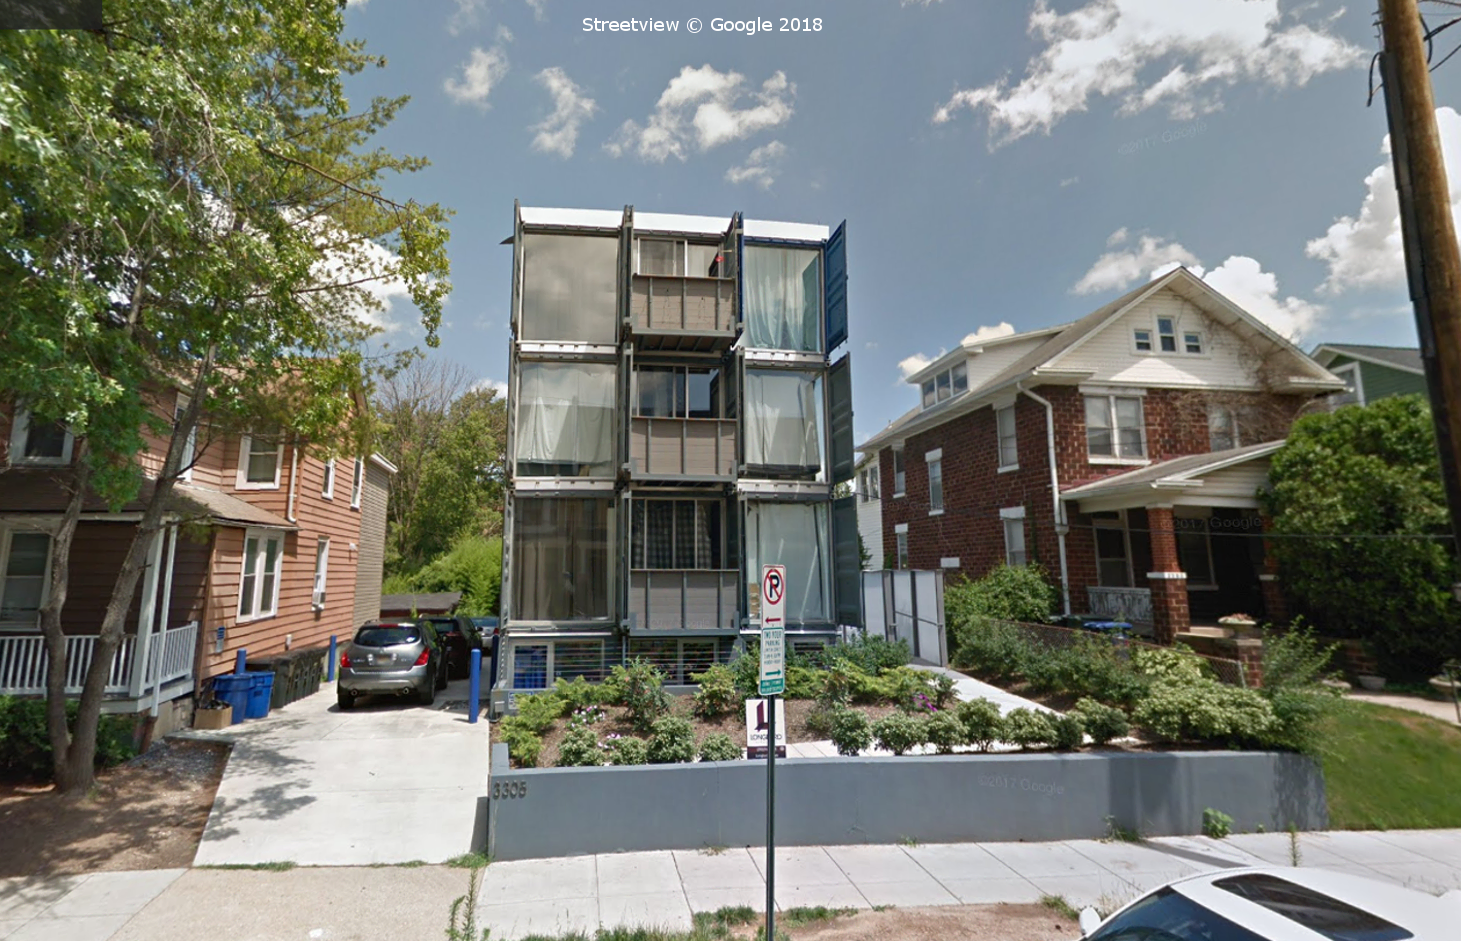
{"x": 1433, "y": 261}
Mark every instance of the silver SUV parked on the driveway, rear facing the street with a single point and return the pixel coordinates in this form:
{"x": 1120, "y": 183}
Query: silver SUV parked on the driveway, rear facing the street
{"x": 400, "y": 658}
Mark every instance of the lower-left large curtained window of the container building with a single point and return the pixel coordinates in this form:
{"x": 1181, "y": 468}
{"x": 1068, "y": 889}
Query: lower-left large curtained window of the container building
{"x": 563, "y": 559}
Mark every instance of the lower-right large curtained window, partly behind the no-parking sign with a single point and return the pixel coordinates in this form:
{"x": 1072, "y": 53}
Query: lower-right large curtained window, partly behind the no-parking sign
{"x": 796, "y": 536}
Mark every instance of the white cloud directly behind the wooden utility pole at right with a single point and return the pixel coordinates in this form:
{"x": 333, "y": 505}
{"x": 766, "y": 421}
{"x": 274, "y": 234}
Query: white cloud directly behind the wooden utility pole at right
{"x": 1365, "y": 251}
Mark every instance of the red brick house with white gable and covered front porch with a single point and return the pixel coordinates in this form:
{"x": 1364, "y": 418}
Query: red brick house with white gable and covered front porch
{"x": 1123, "y": 452}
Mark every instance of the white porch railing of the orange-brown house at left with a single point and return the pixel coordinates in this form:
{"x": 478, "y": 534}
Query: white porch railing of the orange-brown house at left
{"x": 24, "y": 661}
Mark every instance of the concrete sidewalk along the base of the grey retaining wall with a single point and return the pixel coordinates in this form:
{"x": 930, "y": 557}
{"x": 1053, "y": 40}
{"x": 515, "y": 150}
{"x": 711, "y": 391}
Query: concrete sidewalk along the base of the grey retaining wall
{"x": 584, "y": 894}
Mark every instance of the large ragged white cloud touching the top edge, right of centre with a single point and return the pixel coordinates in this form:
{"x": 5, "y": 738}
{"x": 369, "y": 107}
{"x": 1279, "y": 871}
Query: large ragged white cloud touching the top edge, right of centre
{"x": 1153, "y": 53}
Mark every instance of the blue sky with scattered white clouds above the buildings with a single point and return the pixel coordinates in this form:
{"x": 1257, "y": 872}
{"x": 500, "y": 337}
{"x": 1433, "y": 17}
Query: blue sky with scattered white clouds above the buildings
{"x": 999, "y": 161}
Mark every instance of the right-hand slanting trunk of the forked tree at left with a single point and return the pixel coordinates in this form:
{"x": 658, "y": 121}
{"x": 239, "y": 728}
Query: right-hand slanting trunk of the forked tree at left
{"x": 80, "y": 772}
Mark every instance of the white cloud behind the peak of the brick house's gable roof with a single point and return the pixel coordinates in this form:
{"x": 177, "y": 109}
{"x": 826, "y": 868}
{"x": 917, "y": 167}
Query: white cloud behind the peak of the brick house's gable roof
{"x": 1241, "y": 280}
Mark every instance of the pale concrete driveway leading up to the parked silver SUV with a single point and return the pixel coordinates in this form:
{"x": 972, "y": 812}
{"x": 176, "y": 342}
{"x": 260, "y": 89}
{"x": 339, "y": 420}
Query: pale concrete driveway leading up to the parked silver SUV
{"x": 382, "y": 784}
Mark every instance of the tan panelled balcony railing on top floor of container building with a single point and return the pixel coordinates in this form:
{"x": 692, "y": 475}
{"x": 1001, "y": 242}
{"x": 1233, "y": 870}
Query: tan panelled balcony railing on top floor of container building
{"x": 683, "y": 313}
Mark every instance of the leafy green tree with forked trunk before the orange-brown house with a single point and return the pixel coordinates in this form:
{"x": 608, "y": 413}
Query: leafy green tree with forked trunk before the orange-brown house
{"x": 191, "y": 202}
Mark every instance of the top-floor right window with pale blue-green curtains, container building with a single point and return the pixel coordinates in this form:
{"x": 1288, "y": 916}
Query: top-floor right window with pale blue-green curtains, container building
{"x": 784, "y": 299}
